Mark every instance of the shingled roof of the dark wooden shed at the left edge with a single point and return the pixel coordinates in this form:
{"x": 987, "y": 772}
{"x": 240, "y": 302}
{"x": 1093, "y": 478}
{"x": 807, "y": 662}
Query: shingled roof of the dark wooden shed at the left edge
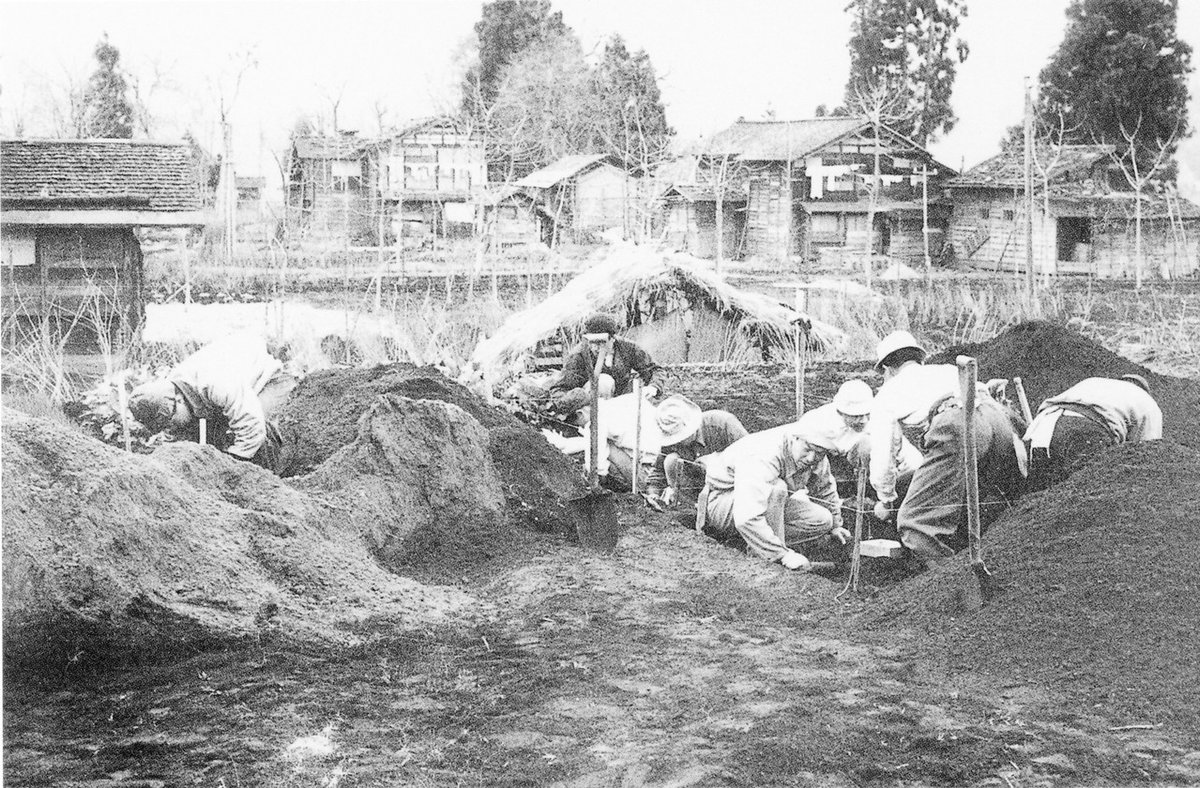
{"x": 86, "y": 173}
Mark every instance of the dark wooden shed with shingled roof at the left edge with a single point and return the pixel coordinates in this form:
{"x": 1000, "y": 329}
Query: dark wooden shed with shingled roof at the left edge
{"x": 73, "y": 263}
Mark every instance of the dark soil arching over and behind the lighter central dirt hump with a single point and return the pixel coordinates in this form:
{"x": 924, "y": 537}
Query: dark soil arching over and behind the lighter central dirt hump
{"x": 325, "y": 410}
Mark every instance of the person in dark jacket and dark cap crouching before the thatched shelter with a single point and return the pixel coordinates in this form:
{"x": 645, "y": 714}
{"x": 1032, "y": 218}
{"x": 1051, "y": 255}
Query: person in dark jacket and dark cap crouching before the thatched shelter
{"x": 573, "y": 390}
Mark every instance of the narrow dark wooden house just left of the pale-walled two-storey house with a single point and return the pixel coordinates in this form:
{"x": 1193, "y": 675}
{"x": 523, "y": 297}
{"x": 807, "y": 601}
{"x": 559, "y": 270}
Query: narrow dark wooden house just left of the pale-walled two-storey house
{"x": 328, "y": 198}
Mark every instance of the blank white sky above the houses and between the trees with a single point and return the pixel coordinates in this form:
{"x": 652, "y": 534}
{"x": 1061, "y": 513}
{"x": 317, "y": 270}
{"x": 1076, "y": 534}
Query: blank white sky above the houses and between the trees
{"x": 718, "y": 61}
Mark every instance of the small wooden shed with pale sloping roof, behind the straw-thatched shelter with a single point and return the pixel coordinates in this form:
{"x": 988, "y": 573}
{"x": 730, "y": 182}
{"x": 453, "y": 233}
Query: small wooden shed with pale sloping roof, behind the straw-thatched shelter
{"x": 578, "y": 197}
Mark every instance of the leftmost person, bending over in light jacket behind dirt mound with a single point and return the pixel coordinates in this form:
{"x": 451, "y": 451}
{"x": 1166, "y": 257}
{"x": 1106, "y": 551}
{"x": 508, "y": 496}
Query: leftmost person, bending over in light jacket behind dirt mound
{"x": 236, "y": 386}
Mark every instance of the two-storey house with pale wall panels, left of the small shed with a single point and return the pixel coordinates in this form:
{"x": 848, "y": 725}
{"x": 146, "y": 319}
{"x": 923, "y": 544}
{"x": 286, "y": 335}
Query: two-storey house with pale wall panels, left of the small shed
{"x": 429, "y": 178}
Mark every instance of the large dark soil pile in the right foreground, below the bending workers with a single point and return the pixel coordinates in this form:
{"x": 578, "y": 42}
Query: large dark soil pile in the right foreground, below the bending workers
{"x": 1101, "y": 597}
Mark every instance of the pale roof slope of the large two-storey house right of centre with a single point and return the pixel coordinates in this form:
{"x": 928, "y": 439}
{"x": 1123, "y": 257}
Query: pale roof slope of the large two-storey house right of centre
{"x": 778, "y": 140}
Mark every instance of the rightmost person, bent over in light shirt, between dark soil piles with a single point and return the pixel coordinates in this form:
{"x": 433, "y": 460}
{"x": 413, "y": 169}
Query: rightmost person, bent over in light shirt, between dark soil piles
{"x": 1093, "y": 414}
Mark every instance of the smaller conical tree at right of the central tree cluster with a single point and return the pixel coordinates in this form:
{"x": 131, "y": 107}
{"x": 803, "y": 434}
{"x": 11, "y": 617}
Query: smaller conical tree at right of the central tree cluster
{"x": 634, "y": 123}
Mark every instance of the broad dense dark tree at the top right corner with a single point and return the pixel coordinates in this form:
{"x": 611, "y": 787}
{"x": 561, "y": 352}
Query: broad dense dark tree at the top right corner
{"x": 1120, "y": 67}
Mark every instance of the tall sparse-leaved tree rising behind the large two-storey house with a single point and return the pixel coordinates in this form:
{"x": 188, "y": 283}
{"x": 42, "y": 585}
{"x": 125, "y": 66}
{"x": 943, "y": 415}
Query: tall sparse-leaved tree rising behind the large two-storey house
{"x": 911, "y": 50}
